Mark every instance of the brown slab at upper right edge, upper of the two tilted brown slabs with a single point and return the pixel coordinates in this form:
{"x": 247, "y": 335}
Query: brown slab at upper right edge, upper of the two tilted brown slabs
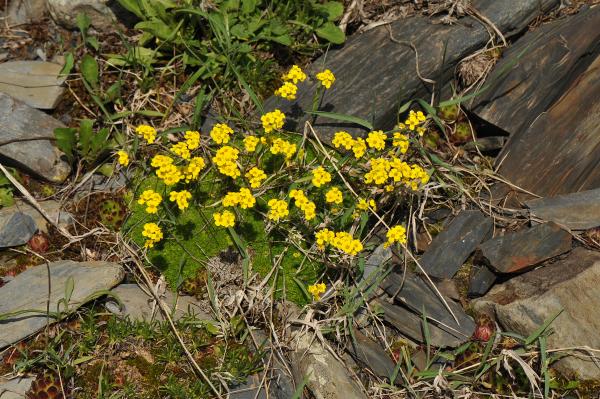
{"x": 551, "y": 57}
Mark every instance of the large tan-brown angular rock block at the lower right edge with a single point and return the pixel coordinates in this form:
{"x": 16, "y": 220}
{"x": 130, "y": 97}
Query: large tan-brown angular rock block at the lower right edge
{"x": 525, "y": 302}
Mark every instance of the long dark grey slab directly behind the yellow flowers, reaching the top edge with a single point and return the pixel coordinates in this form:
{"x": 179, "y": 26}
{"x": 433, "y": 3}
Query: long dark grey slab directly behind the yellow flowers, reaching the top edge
{"x": 376, "y": 71}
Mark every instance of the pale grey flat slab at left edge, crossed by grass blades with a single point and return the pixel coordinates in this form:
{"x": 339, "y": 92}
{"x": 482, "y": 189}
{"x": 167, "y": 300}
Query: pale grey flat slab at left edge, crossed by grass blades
{"x": 29, "y": 291}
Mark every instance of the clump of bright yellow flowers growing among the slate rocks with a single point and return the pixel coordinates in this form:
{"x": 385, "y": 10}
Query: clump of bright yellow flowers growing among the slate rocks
{"x": 292, "y": 190}
